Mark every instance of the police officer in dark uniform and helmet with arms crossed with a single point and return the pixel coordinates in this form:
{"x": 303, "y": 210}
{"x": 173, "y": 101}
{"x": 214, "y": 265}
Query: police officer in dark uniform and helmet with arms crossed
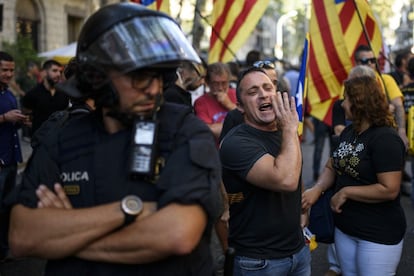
{"x": 131, "y": 188}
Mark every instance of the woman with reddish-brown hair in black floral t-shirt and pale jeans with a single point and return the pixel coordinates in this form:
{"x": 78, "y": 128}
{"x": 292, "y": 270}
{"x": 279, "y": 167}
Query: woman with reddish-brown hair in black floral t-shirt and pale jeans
{"x": 366, "y": 169}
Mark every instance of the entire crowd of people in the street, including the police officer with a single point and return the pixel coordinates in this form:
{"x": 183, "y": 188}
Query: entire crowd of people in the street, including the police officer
{"x": 142, "y": 153}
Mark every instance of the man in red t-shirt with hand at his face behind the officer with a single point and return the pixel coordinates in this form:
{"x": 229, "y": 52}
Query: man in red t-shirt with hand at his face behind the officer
{"x": 213, "y": 106}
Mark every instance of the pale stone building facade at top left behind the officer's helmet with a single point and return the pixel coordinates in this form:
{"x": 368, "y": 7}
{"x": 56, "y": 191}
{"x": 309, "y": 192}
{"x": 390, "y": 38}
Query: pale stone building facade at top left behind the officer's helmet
{"x": 49, "y": 23}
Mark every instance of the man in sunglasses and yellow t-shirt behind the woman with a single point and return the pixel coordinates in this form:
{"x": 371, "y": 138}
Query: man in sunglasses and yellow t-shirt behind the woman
{"x": 365, "y": 56}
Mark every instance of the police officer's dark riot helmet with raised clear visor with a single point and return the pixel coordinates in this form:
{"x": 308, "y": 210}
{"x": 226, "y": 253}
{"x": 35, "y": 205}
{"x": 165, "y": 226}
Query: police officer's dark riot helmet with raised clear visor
{"x": 126, "y": 37}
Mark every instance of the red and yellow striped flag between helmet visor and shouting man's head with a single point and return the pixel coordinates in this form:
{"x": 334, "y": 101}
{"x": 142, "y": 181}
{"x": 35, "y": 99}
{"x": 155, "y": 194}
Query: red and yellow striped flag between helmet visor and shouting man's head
{"x": 233, "y": 21}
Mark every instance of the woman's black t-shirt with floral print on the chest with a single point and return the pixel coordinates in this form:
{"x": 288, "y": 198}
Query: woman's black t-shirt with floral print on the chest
{"x": 357, "y": 160}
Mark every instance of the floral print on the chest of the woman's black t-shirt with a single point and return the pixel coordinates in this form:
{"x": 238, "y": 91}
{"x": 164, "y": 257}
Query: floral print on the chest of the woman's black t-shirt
{"x": 346, "y": 157}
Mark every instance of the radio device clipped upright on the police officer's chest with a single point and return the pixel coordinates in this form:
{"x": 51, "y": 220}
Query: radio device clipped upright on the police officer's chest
{"x": 144, "y": 147}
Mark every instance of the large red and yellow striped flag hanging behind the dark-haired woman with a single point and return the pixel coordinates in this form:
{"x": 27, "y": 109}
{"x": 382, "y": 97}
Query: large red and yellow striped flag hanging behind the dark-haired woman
{"x": 336, "y": 28}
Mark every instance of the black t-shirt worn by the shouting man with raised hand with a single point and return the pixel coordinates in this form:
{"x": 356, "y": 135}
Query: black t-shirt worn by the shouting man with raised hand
{"x": 263, "y": 223}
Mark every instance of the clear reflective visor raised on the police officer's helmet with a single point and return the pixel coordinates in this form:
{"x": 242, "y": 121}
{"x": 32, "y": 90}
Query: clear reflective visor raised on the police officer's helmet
{"x": 140, "y": 42}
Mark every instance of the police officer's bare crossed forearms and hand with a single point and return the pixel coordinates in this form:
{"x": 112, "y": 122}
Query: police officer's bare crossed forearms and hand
{"x": 56, "y": 230}
